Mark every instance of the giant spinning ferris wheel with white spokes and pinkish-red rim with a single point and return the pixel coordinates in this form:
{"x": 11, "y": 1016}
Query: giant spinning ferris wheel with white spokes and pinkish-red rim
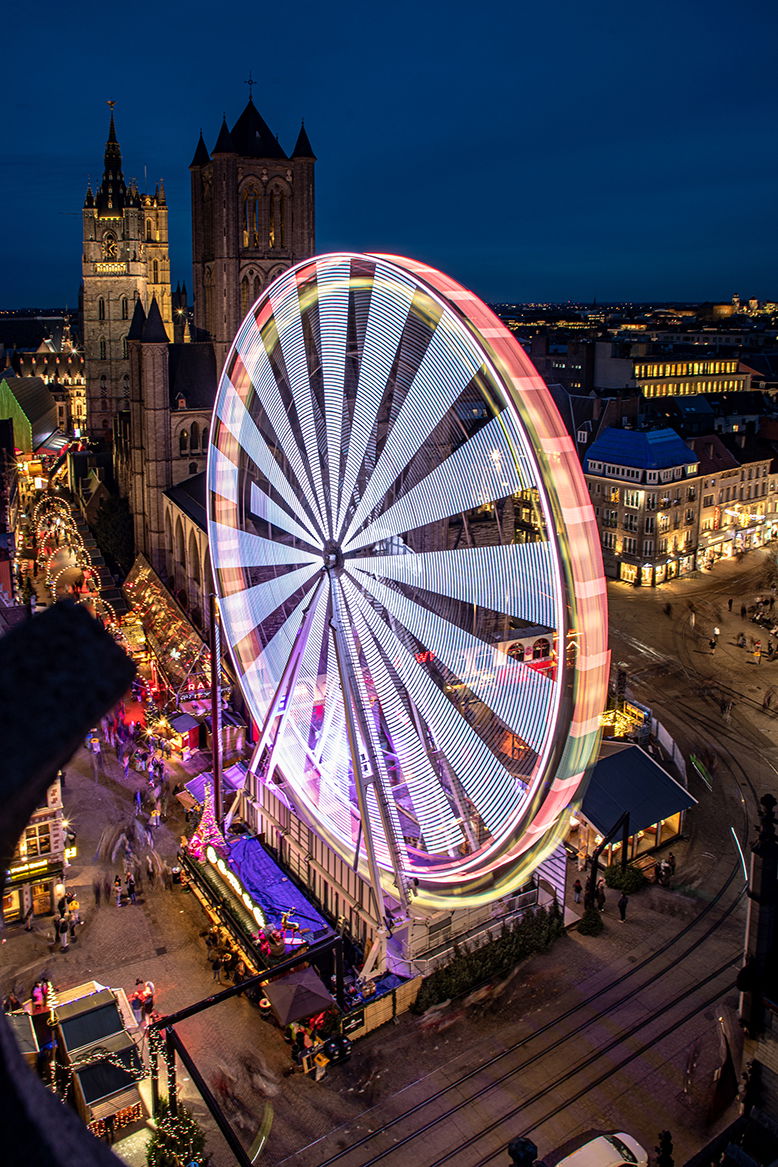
{"x": 396, "y": 514}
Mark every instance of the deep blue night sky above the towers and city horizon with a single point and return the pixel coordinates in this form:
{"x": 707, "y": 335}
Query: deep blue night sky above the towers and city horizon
{"x": 550, "y": 152}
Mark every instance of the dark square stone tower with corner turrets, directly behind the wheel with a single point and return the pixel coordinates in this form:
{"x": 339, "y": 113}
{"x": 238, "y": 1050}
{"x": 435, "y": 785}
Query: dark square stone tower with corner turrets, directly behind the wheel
{"x": 253, "y": 219}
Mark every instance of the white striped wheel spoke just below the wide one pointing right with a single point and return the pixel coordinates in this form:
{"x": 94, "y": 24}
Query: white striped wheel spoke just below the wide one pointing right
{"x": 520, "y": 696}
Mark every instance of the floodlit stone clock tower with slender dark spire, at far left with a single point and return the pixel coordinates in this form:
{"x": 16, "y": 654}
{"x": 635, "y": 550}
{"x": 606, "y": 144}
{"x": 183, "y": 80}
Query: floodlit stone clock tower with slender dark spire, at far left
{"x": 125, "y": 260}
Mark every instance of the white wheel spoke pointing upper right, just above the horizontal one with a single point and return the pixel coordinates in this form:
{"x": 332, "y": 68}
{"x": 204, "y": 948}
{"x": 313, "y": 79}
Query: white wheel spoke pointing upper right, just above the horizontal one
{"x": 486, "y": 469}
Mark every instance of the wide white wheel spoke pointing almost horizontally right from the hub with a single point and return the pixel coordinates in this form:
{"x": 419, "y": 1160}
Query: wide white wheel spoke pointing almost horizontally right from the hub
{"x": 517, "y": 579}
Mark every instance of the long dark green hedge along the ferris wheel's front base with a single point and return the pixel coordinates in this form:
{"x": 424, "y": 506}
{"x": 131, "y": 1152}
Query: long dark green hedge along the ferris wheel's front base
{"x": 472, "y": 967}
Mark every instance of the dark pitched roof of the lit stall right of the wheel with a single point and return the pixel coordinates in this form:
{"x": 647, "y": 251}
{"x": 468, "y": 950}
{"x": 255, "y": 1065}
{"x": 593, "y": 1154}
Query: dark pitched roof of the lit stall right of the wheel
{"x": 628, "y": 779}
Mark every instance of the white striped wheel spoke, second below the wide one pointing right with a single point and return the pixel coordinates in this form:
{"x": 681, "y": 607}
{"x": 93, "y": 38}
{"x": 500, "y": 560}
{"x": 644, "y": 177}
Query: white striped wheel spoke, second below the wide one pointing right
{"x": 485, "y": 780}
